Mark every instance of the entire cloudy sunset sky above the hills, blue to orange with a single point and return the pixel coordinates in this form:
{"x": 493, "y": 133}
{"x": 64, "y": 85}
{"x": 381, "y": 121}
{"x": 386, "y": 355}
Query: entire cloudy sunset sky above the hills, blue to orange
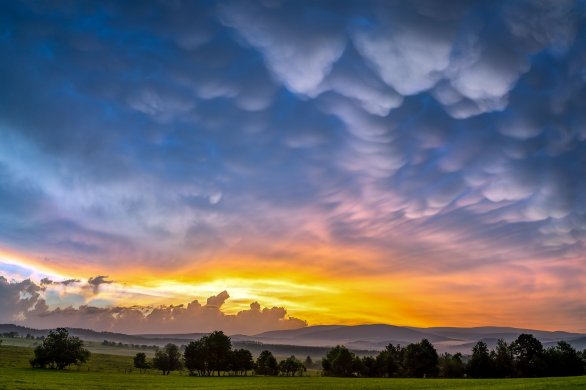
{"x": 184, "y": 166}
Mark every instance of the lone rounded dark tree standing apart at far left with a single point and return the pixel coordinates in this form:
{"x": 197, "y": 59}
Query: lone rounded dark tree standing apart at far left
{"x": 59, "y": 350}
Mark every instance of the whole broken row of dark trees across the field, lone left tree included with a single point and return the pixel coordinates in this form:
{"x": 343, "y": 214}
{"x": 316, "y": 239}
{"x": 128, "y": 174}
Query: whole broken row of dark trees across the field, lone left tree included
{"x": 213, "y": 355}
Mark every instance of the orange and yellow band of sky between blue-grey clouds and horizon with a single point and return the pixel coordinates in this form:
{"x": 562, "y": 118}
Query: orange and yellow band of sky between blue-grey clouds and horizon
{"x": 478, "y": 298}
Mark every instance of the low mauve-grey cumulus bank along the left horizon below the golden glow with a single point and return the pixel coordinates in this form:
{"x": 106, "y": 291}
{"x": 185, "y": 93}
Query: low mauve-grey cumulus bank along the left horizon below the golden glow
{"x": 23, "y": 303}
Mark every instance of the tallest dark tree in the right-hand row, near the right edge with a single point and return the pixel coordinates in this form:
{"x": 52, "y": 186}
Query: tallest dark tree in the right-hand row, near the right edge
{"x": 528, "y": 354}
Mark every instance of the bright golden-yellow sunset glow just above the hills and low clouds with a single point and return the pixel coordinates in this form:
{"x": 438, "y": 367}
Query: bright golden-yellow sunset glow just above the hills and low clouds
{"x": 398, "y": 299}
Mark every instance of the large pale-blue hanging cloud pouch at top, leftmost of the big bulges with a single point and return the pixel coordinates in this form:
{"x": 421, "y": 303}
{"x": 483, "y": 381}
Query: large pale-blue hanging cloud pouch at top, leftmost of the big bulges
{"x": 300, "y": 58}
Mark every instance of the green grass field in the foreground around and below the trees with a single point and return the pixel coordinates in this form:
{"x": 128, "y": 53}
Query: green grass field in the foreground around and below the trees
{"x": 111, "y": 372}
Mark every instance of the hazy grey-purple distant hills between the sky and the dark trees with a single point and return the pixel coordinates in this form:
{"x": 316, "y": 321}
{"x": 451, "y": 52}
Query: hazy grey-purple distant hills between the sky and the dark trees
{"x": 315, "y": 340}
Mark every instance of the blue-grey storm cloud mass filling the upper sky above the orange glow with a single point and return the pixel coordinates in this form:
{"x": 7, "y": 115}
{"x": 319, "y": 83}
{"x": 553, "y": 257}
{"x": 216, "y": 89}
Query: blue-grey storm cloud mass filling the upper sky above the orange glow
{"x": 144, "y": 131}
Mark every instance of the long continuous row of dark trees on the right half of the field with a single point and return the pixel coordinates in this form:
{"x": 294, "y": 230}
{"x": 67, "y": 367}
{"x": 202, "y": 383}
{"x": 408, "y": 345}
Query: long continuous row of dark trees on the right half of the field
{"x": 524, "y": 357}
